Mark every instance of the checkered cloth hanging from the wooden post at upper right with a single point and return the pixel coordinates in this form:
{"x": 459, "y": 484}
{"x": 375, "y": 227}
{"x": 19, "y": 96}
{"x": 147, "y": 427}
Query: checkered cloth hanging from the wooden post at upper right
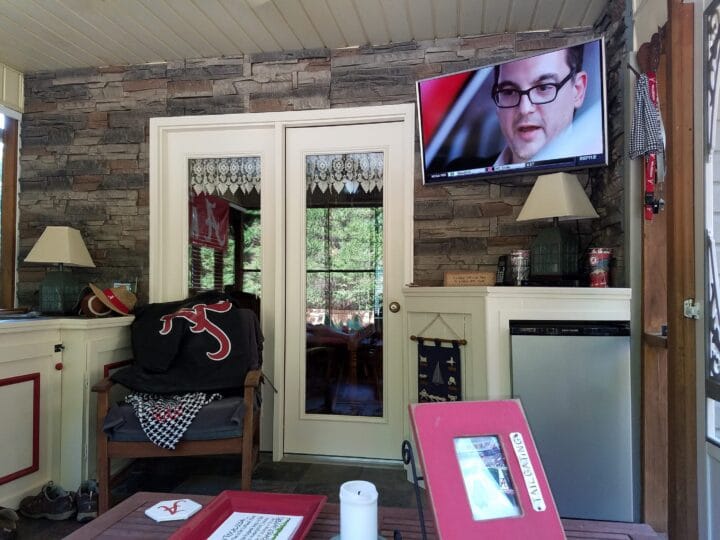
{"x": 647, "y": 134}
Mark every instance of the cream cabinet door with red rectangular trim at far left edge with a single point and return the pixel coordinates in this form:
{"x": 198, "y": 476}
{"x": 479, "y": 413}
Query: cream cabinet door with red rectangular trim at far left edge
{"x": 30, "y": 377}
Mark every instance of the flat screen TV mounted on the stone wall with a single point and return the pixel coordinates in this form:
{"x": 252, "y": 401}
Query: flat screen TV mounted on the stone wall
{"x": 536, "y": 114}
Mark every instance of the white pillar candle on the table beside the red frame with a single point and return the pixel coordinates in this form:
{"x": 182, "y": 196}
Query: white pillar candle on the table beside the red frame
{"x": 358, "y": 511}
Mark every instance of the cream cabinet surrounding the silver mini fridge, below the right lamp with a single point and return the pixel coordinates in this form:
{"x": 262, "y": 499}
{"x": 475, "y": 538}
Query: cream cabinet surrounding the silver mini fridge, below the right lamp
{"x": 482, "y": 315}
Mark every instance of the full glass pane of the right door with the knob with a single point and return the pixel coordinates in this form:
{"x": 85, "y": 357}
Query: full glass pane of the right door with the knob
{"x": 344, "y": 284}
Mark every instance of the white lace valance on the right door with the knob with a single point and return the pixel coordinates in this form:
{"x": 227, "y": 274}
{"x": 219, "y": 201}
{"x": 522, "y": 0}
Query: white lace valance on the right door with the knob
{"x": 349, "y": 172}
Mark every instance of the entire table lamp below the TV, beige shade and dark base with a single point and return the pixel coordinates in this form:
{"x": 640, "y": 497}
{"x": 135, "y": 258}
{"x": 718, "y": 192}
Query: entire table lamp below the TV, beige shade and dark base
{"x": 554, "y": 252}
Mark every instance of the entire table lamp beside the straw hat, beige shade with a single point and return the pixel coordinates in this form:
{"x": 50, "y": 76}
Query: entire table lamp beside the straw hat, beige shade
{"x": 64, "y": 246}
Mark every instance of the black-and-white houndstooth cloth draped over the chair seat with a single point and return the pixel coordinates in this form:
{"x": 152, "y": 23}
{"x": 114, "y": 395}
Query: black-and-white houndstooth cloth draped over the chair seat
{"x": 164, "y": 419}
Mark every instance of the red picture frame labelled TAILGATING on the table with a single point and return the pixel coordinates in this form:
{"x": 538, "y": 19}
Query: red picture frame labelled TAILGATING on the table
{"x": 482, "y": 471}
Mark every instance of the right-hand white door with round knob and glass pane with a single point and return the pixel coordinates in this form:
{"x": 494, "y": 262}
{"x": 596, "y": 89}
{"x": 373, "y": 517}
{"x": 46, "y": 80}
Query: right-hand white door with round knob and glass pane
{"x": 345, "y": 246}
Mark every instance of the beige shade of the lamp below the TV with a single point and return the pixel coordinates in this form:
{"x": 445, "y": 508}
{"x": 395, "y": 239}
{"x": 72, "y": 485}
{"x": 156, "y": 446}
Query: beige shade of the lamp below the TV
{"x": 557, "y": 195}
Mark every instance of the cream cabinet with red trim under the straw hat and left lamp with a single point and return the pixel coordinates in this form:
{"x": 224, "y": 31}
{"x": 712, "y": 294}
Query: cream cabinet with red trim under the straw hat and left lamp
{"x": 47, "y": 366}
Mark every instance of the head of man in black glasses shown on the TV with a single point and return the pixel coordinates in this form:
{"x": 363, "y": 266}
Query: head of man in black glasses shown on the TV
{"x": 536, "y": 100}
